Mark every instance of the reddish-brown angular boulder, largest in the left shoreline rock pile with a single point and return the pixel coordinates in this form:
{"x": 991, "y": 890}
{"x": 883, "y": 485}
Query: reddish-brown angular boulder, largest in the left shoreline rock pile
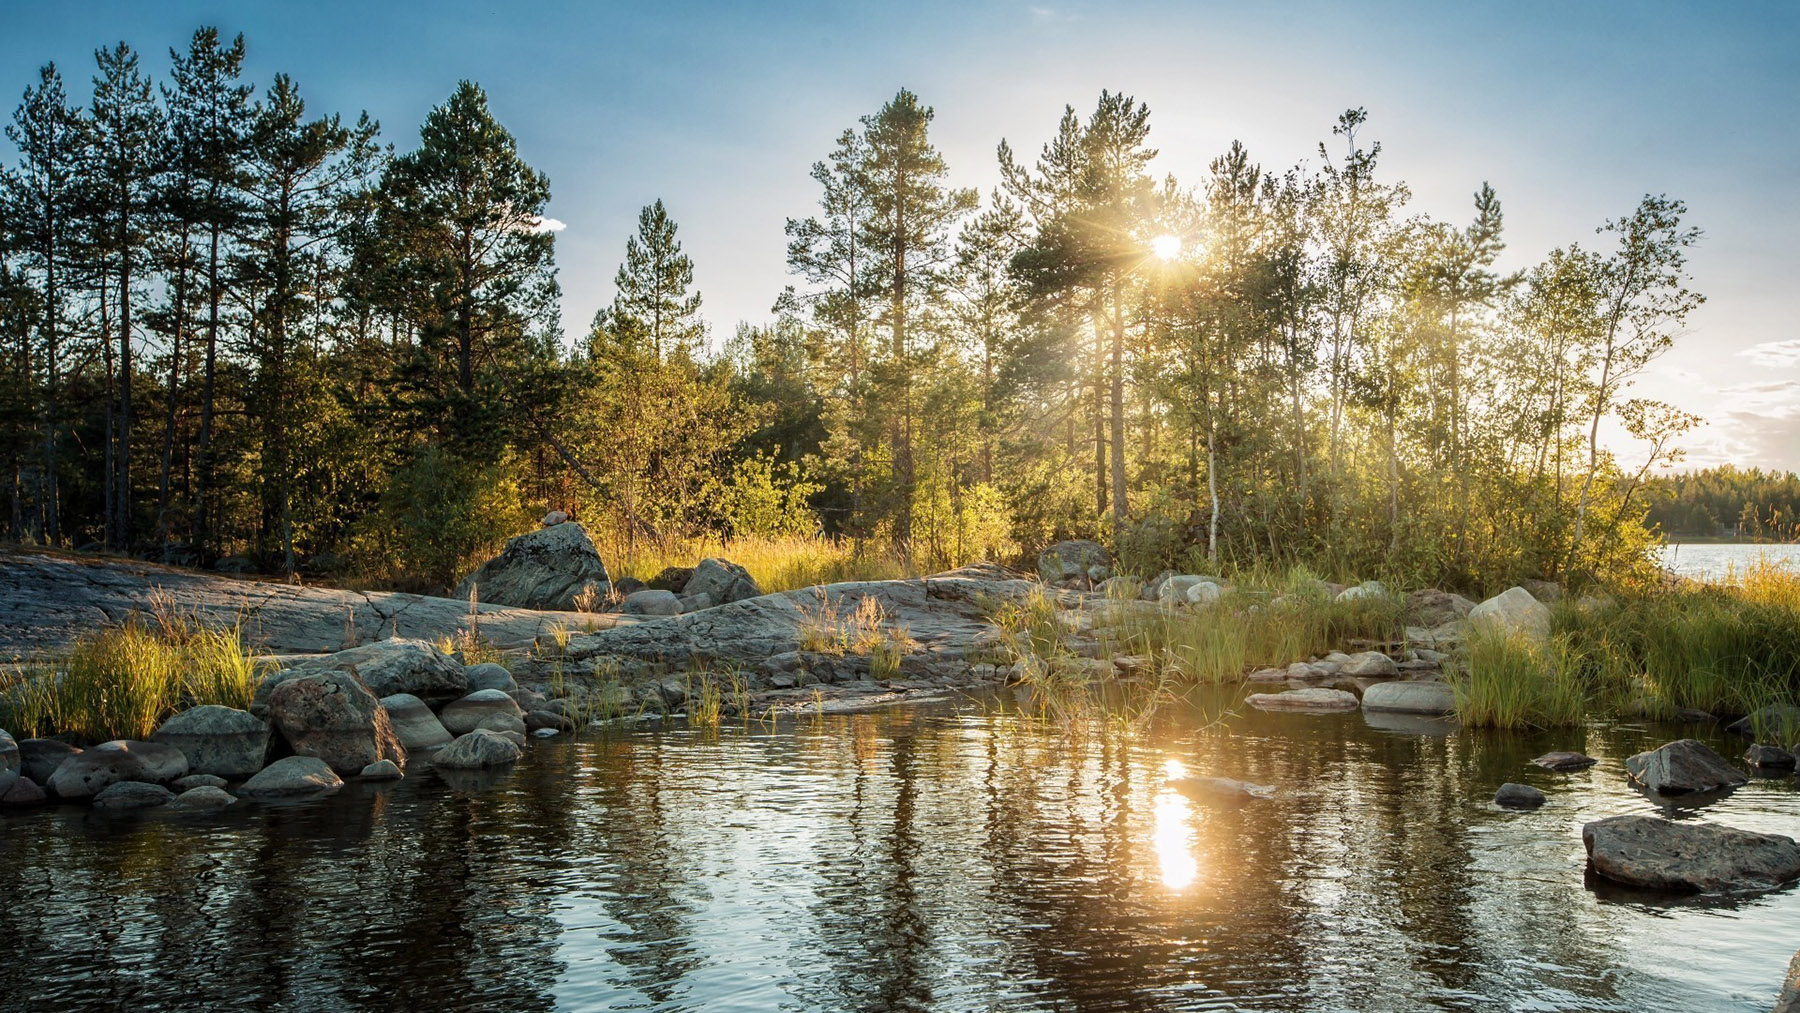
{"x": 334, "y": 717}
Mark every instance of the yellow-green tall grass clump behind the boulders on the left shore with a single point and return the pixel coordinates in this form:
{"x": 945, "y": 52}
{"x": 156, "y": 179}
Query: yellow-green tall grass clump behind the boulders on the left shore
{"x": 125, "y": 681}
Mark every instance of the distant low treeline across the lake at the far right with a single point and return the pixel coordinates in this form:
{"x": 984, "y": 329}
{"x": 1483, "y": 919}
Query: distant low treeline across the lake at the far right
{"x": 1729, "y": 503}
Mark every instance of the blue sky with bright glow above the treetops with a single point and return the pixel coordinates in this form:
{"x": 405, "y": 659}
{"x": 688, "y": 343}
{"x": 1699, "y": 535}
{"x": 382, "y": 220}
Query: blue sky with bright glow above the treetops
{"x": 1572, "y": 111}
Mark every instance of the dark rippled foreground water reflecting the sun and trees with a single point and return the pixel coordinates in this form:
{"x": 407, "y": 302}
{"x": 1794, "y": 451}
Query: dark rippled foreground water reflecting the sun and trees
{"x": 928, "y": 859}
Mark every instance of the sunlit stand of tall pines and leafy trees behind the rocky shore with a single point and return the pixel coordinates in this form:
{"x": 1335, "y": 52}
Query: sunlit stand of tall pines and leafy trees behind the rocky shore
{"x": 246, "y": 332}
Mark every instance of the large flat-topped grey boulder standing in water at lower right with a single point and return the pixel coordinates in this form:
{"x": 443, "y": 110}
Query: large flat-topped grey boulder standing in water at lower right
{"x": 1695, "y": 857}
